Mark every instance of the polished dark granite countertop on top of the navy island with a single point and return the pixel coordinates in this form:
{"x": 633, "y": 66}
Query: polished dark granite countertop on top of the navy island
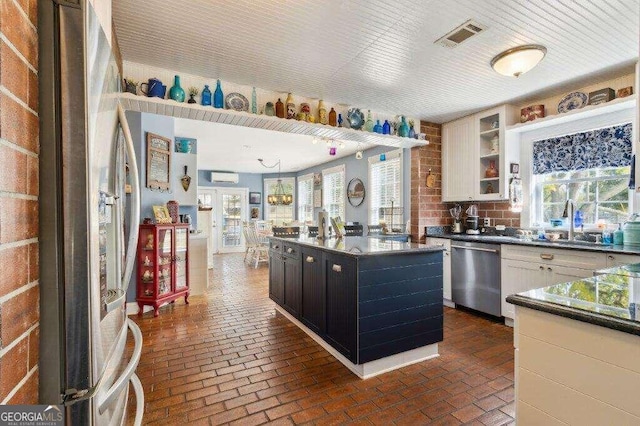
{"x": 361, "y": 246}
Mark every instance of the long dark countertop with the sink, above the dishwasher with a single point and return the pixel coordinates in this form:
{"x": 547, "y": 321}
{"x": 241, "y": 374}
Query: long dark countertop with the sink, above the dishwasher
{"x": 573, "y": 245}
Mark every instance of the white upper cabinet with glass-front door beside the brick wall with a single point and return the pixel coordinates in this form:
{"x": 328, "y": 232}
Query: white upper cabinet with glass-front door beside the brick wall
{"x": 476, "y": 156}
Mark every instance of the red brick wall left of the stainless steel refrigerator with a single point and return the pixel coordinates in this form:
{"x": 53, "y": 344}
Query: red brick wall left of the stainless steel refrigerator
{"x": 19, "y": 145}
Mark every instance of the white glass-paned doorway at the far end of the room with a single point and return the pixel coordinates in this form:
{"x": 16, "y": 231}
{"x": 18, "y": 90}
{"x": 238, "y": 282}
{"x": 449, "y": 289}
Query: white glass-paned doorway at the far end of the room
{"x": 223, "y": 226}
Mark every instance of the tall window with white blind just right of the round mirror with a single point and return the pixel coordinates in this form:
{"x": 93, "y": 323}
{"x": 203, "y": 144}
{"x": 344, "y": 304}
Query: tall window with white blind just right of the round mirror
{"x": 385, "y": 184}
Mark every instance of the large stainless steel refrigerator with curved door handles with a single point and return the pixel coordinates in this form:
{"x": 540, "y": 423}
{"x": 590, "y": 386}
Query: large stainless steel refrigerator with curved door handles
{"x": 86, "y": 254}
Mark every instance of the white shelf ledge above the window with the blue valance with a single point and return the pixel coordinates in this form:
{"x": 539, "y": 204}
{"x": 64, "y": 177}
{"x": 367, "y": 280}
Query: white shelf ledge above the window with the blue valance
{"x": 589, "y": 111}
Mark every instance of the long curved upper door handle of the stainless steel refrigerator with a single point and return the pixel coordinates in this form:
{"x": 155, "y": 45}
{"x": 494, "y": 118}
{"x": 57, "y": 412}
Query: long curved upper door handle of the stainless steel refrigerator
{"x": 134, "y": 217}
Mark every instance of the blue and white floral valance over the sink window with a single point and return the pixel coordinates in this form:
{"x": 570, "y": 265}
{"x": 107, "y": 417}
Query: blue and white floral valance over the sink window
{"x": 608, "y": 147}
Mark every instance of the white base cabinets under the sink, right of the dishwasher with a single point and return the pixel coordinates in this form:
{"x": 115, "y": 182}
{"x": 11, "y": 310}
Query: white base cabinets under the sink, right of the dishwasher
{"x": 526, "y": 268}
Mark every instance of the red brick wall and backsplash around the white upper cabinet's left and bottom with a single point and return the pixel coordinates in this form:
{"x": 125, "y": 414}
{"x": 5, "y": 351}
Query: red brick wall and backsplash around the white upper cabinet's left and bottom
{"x": 427, "y": 208}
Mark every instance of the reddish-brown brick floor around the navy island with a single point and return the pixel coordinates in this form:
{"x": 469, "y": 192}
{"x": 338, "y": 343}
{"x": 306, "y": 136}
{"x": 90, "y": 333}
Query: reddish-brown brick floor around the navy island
{"x": 229, "y": 358}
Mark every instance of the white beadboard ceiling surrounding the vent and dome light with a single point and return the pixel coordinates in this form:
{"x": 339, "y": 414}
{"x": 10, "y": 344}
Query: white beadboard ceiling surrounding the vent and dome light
{"x": 380, "y": 54}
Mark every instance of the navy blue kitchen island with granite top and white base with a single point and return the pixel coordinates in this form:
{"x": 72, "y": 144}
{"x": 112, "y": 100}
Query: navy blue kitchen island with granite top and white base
{"x": 375, "y": 305}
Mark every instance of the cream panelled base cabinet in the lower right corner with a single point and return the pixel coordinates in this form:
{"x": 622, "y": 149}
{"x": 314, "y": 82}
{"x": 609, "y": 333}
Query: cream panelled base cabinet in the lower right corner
{"x": 572, "y": 372}
